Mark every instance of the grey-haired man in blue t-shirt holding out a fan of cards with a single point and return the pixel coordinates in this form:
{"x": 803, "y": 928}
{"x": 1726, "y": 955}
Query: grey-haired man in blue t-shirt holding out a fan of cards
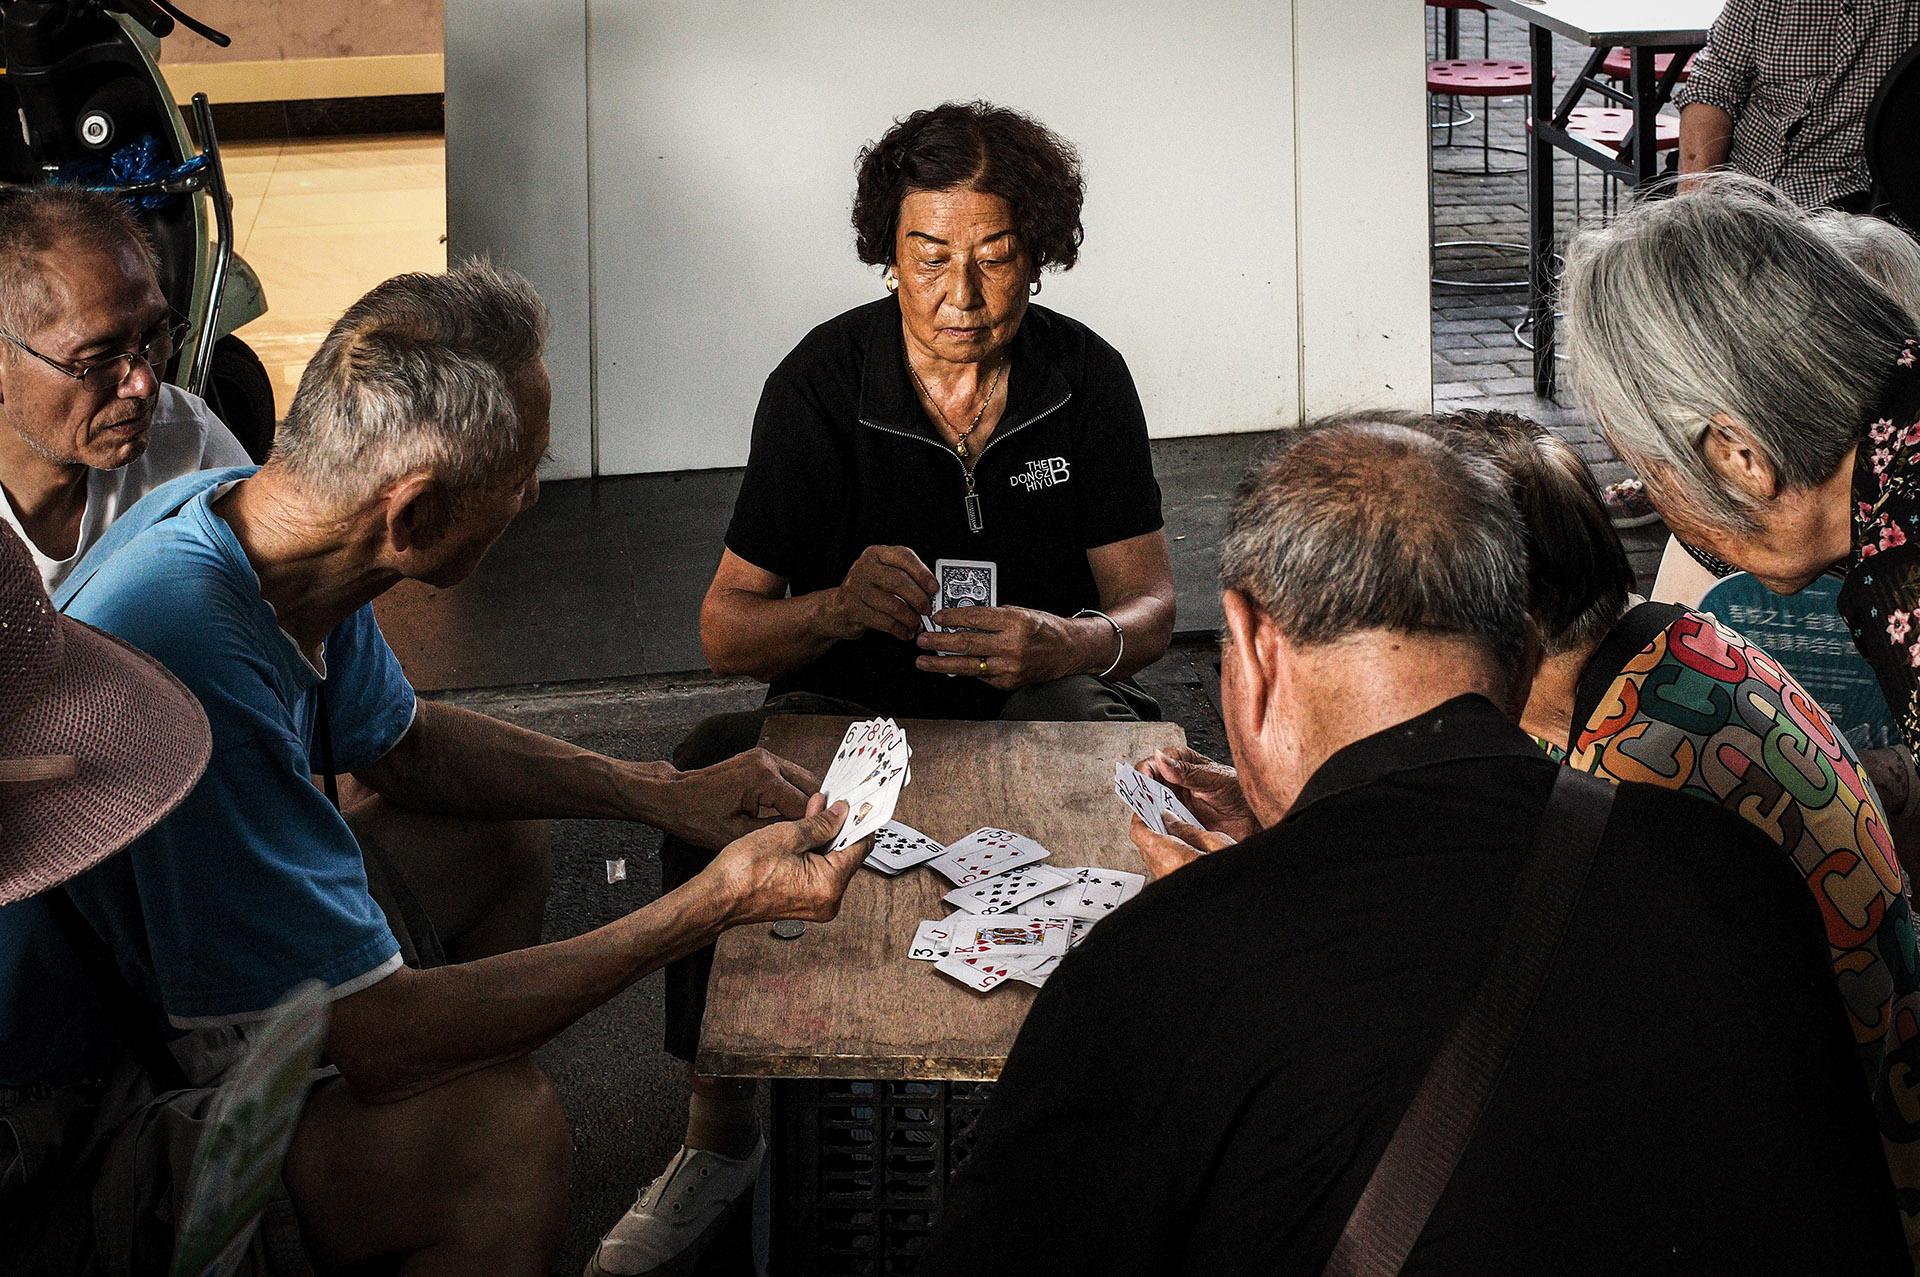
{"x": 412, "y": 445}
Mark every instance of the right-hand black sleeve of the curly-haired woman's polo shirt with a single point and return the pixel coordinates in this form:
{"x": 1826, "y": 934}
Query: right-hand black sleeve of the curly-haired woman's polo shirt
{"x": 1118, "y": 494}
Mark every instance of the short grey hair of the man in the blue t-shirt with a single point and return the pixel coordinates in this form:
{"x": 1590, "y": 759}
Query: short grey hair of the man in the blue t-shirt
{"x": 416, "y": 377}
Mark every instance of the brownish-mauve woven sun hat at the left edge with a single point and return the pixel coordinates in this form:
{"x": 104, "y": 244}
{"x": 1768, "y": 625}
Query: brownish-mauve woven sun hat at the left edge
{"x": 141, "y": 744}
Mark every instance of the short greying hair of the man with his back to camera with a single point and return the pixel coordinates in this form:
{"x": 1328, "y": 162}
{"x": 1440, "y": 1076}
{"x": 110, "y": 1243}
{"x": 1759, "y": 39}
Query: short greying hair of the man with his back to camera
{"x": 1362, "y": 523}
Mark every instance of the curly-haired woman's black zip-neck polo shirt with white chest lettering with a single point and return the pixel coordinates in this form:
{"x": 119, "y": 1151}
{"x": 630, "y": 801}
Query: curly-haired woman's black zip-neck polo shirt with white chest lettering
{"x": 846, "y": 458}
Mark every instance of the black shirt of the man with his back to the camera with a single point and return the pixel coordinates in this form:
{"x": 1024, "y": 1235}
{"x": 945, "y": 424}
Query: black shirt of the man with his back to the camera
{"x": 1207, "y": 1084}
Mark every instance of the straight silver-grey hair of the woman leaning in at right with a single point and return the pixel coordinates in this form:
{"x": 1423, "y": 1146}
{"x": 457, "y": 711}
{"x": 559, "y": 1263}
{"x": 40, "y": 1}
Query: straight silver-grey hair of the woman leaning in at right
{"x": 1727, "y": 302}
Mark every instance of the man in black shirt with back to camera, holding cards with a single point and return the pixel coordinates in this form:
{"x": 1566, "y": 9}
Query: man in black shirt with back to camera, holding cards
{"x": 1209, "y": 1082}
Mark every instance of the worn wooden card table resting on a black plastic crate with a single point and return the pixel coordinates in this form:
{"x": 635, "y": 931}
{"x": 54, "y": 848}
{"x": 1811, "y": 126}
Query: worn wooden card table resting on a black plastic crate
{"x": 876, "y": 1059}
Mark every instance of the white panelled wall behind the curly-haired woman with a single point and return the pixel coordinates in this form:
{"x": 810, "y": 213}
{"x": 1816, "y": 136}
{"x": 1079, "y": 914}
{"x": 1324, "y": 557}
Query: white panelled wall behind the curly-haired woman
{"x": 1257, "y": 208}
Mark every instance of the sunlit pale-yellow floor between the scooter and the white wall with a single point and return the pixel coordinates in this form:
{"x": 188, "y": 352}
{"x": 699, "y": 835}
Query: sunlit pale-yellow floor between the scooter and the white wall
{"x": 322, "y": 222}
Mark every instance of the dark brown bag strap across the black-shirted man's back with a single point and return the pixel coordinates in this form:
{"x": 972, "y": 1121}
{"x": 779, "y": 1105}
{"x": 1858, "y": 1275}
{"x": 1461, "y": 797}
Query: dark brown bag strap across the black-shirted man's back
{"x": 1420, "y": 1159}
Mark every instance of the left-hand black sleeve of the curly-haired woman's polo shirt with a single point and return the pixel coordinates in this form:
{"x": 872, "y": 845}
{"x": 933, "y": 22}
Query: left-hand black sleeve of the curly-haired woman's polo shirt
{"x": 794, "y": 479}
